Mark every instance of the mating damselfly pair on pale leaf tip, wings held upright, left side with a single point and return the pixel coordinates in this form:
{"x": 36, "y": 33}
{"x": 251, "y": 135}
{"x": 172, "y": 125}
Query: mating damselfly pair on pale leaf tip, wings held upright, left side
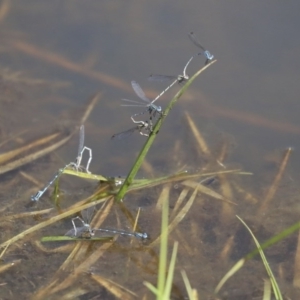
{"x": 76, "y": 165}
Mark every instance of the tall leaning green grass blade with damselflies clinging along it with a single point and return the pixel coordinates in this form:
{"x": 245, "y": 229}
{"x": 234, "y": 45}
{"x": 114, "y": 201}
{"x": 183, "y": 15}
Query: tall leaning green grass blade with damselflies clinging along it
{"x": 152, "y": 136}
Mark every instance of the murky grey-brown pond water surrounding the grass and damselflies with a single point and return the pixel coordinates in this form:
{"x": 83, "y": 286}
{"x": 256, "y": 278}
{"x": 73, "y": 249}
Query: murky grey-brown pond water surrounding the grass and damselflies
{"x": 54, "y": 56}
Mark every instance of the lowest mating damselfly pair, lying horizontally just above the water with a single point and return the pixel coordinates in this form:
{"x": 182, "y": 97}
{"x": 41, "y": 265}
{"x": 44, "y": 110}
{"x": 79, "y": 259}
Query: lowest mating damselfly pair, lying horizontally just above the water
{"x": 85, "y": 231}
